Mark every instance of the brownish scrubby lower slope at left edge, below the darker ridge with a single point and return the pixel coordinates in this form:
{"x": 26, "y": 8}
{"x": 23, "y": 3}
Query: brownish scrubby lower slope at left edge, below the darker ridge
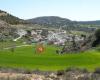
{"x": 7, "y": 31}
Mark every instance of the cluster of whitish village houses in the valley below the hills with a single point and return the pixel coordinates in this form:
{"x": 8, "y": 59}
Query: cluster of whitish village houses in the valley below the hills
{"x": 57, "y": 37}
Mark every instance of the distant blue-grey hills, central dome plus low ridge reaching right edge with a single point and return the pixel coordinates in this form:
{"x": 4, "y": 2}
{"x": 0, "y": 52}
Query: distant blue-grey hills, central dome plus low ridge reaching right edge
{"x": 54, "y": 21}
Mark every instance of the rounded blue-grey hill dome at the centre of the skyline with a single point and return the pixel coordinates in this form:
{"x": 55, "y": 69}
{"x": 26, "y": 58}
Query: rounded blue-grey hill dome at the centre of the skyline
{"x": 52, "y": 21}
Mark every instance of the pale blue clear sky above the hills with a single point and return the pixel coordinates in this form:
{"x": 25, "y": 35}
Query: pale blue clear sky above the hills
{"x": 77, "y": 10}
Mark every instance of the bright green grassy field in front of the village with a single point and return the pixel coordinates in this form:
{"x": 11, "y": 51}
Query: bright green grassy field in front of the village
{"x": 25, "y": 57}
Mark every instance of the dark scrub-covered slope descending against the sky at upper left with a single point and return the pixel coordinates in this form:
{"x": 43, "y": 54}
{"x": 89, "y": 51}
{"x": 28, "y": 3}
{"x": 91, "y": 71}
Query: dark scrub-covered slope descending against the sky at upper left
{"x": 10, "y": 18}
